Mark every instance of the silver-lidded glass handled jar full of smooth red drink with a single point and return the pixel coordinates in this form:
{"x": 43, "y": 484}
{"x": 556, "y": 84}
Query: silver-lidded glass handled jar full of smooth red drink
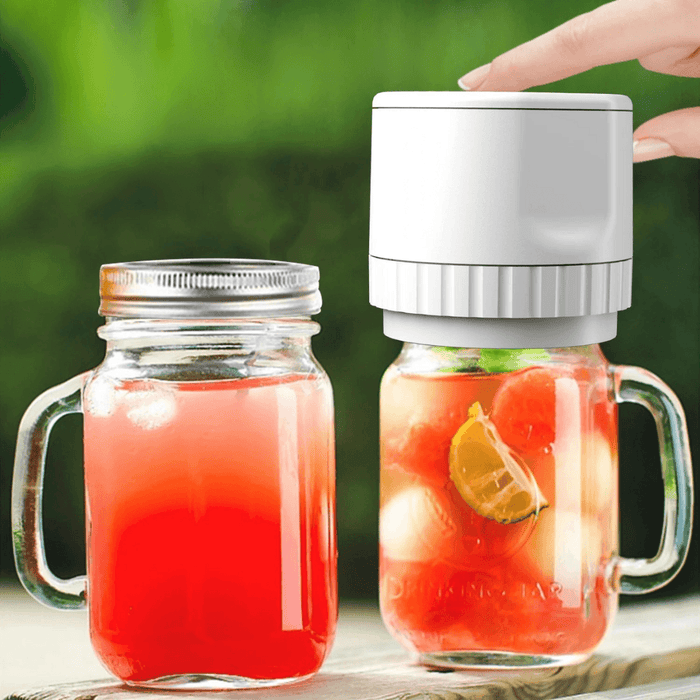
{"x": 209, "y": 478}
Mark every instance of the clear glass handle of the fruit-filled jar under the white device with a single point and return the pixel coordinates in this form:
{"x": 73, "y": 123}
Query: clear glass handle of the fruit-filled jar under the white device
{"x": 636, "y": 385}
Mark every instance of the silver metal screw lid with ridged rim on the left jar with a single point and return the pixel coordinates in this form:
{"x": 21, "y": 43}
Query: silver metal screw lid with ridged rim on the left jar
{"x": 209, "y": 288}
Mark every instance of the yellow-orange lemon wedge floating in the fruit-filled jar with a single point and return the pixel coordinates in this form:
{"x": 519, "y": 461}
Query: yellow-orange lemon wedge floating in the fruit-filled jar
{"x": 491, "y": 478}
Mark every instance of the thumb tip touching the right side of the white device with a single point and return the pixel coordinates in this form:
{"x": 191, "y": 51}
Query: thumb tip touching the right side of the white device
{"x": 673, "y": 134}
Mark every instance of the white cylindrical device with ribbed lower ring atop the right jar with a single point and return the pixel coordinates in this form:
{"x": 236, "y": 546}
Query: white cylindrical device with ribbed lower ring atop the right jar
{"x": 502, "y": 206}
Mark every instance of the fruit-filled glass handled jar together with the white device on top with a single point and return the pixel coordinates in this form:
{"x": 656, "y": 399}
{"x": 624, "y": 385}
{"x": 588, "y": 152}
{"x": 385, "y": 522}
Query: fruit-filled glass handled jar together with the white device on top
{"x": 501, "y": 254}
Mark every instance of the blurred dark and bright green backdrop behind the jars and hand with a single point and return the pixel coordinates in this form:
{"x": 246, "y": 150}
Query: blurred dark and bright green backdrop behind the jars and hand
{"x": 241, "y": 128}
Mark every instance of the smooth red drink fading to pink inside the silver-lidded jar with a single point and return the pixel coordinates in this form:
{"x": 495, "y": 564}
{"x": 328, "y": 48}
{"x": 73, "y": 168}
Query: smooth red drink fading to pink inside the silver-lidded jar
{"x": 211, "y": 545}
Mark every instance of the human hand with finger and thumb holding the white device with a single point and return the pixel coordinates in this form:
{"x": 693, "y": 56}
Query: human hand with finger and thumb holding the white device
{"x": 663, "y": 35}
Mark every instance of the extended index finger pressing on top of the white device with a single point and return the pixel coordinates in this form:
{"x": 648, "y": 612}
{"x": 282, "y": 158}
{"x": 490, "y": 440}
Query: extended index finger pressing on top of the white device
{"x": 618, "y": 31}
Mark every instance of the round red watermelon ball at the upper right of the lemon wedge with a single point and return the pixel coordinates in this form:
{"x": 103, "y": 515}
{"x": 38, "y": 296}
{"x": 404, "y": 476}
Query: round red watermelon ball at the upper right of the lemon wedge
{"x": 523, "y": 411}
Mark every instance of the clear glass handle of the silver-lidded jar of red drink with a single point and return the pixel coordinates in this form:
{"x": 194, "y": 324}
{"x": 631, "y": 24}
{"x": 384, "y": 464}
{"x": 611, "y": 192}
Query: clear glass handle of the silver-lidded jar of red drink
{"x": 27, "y": 483}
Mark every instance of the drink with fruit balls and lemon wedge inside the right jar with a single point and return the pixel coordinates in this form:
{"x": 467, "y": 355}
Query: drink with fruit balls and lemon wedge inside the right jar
{"x": 498, "y": 516}
